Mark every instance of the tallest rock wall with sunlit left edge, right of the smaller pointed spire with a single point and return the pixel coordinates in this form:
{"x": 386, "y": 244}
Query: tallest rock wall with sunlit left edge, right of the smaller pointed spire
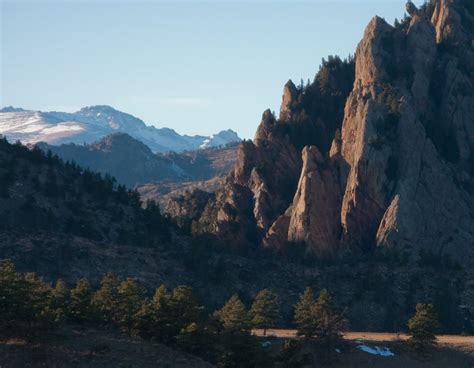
{"x": 396, "y": 192}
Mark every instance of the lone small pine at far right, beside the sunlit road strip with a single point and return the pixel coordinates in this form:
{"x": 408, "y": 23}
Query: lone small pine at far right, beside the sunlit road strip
{"x": 423, "y": 326}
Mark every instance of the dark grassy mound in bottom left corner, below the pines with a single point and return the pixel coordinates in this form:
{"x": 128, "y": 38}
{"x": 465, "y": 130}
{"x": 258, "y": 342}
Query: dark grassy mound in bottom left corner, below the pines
{"x": 80, "y": 348}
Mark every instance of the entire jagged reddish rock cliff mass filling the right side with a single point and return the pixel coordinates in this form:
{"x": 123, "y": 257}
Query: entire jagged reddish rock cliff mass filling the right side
{"x": 400, "y": 172}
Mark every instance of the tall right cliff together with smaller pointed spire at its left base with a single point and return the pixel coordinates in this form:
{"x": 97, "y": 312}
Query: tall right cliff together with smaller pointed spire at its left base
{"x": 392, "y": 169}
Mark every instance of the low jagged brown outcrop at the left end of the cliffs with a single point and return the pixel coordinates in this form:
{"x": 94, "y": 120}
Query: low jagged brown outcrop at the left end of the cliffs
{"x": 261, "y": 183}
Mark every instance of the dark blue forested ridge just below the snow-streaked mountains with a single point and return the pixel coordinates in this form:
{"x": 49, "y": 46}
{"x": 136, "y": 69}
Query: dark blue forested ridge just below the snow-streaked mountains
{"x": 133, "y": 163}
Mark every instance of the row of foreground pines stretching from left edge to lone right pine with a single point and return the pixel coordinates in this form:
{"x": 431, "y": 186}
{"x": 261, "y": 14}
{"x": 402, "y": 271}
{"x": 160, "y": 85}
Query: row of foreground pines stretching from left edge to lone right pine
{"x": 33, "y": 307}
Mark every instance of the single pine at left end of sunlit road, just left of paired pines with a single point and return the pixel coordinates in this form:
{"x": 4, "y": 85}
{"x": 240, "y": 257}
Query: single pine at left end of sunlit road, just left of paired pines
{"x": 265, "y": 310}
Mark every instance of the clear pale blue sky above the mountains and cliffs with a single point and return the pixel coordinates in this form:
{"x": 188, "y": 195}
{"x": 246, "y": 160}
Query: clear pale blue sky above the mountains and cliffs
{"x": 194, "y": 66}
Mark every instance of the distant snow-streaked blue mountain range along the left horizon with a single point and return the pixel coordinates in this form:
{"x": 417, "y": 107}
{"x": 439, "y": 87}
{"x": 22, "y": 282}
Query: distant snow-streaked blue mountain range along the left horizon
{"x": 92, "y": 123}
